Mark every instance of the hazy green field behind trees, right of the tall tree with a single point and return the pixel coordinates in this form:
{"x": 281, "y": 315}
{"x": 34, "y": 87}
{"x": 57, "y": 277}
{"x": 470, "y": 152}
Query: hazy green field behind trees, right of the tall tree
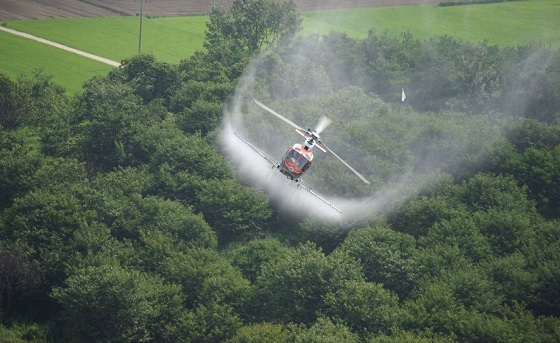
{"x": 505, "y": 23}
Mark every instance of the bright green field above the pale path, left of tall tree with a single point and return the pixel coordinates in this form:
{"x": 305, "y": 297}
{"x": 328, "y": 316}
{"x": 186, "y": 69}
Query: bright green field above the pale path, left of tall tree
{"x": 170, "y": 39}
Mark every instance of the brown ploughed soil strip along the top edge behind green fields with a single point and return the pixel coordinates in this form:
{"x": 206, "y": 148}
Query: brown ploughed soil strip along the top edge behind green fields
{"x": 44, "y": 9}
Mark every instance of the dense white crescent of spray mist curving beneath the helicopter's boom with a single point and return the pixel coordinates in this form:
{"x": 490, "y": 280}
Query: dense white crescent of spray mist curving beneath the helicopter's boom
{"x": 284, "y": 193}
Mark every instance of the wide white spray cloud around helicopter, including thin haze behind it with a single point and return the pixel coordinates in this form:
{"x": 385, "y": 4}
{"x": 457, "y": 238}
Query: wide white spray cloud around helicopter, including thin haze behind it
{"x": 305, "y": 75}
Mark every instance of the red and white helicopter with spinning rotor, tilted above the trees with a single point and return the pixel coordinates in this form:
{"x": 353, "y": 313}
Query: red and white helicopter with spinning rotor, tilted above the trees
{"x": 297, "y": 160}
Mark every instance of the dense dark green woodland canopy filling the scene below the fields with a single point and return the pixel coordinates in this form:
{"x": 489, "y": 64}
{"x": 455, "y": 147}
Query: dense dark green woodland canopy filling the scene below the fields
{"x": 121, "y": 221}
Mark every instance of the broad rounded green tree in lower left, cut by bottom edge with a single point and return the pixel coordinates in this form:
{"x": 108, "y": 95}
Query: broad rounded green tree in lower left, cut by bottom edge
{"x": 109, "y": 303}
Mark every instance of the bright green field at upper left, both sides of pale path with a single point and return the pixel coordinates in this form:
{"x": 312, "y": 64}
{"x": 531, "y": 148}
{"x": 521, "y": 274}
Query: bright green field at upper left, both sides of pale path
{"x": 115, "y": 38}
